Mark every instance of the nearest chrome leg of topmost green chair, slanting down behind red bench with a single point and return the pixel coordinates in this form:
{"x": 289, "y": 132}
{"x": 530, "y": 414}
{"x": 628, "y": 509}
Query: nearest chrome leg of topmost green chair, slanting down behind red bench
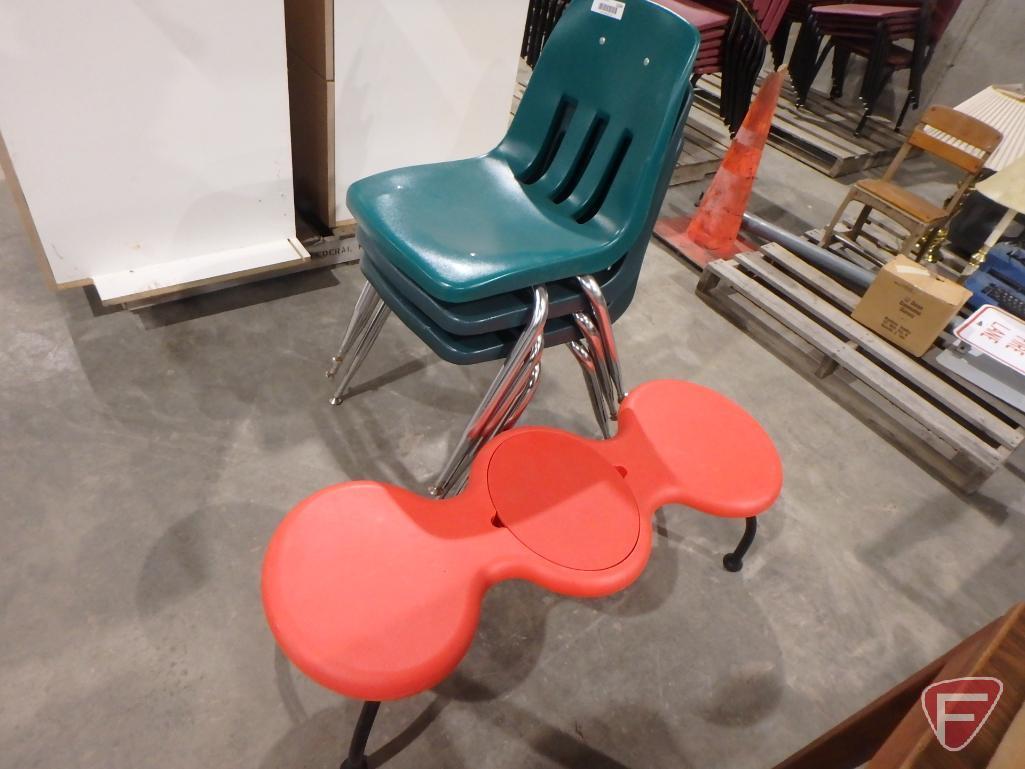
{"x": 499, "y": 393}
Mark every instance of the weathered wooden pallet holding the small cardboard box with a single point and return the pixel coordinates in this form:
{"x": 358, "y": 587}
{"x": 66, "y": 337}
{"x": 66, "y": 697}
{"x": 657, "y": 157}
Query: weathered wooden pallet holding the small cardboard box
{"x": 945, "y": 426}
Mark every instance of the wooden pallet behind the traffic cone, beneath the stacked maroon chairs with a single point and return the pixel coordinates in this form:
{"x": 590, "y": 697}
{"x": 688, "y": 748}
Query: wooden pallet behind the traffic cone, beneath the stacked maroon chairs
{"x": 822, "y": 135}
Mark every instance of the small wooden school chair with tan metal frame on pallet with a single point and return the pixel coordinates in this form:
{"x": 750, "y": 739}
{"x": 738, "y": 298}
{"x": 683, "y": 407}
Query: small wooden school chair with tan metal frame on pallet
{"x": 956, "y": 139}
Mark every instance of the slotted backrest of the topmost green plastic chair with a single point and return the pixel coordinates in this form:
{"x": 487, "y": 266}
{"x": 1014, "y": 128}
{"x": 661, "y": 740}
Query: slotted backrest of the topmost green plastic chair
{"x": 599, "y": 115}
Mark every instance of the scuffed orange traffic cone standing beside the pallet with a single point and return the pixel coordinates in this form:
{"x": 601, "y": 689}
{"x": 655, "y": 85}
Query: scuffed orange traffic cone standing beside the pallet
{"x": 713, "y": 232}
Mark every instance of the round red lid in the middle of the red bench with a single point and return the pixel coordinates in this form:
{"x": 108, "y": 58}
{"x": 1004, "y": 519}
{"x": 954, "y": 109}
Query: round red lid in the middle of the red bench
{"x": 563, "y": 501}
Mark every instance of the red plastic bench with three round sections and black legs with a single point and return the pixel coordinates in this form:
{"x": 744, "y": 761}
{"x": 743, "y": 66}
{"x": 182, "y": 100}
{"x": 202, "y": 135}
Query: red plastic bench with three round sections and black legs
{"x": 376, "y": 592}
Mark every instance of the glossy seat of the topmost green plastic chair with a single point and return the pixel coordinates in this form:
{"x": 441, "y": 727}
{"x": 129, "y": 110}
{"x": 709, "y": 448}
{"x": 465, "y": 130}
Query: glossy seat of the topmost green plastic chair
{"x": 468, "y": 230}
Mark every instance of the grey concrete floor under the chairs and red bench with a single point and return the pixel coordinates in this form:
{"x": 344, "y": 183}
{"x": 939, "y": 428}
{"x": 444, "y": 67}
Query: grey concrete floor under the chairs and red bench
{"x": 147, "y": 459}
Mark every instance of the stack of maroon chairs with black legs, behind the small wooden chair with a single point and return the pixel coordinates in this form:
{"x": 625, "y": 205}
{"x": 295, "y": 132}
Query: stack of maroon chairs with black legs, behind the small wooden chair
{"x": 891, "y": 35}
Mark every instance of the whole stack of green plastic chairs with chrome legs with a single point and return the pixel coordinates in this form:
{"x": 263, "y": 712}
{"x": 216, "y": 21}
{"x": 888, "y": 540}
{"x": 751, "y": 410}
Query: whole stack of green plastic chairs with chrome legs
{"x": 541, "y": 241}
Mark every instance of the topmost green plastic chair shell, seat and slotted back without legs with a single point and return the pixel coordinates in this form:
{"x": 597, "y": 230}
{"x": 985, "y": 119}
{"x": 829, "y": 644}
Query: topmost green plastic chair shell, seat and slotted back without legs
{"x": 570, "y": 185}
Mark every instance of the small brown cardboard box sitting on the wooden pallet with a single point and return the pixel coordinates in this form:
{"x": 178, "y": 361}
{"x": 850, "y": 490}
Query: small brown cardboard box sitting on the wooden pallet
{"x": 910, "y": 306}
